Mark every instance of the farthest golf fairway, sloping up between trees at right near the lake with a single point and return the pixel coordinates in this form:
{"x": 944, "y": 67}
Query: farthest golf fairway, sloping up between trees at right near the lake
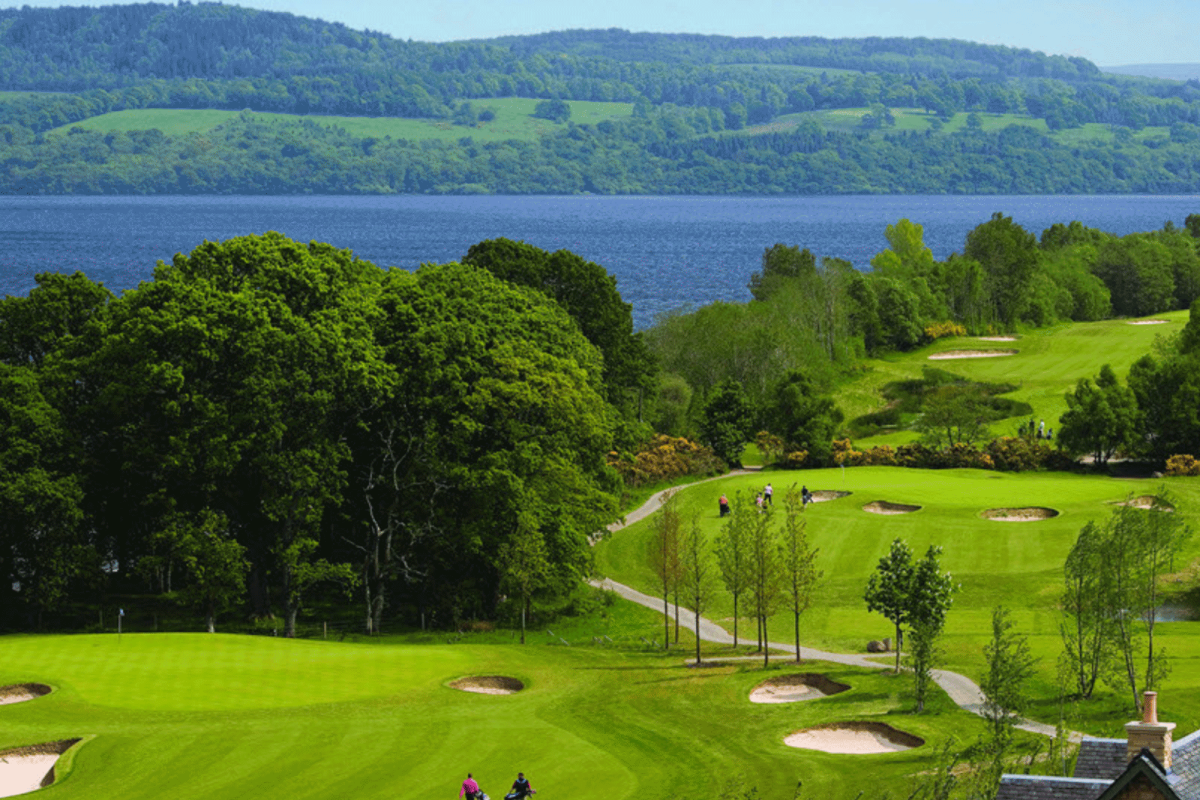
{"x": 1049, "y": 363}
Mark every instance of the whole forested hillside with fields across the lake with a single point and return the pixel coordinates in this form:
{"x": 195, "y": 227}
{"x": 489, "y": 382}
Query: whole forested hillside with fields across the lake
{"x": 125, "y": 100}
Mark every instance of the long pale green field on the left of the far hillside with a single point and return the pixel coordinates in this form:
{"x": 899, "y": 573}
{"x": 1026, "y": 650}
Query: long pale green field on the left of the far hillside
{"x": 514, "y": 121}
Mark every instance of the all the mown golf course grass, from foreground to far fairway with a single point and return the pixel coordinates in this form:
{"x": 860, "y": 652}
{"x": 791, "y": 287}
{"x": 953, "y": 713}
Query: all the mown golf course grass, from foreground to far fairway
{"x": 596, "y": 708}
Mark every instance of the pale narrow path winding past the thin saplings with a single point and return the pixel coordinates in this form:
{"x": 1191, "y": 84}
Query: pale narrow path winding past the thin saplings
{"x": 964, "y": 691}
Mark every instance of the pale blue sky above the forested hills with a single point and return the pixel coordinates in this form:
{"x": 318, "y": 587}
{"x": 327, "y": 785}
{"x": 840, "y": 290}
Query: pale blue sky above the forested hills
{"x": 1108, "y": 33}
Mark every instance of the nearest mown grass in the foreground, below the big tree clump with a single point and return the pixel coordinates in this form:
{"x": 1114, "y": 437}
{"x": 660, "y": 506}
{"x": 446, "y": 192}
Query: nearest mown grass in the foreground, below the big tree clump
{"x": 221, "y": 717}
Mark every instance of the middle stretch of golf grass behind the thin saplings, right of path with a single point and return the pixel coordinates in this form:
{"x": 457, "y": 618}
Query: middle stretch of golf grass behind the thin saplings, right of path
{"x": 1016, "y": 564}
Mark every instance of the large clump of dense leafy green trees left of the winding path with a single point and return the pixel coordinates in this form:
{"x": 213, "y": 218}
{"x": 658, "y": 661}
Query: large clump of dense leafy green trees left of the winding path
{"x": 266, "y": 420}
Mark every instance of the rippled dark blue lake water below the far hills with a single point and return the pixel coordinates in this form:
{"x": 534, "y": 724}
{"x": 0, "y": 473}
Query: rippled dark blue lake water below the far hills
{"x": 667, "y": 252}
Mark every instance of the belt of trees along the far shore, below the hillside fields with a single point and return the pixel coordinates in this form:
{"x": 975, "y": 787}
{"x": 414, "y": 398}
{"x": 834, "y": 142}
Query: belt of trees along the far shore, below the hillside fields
{"x": 665, "y": 152}
